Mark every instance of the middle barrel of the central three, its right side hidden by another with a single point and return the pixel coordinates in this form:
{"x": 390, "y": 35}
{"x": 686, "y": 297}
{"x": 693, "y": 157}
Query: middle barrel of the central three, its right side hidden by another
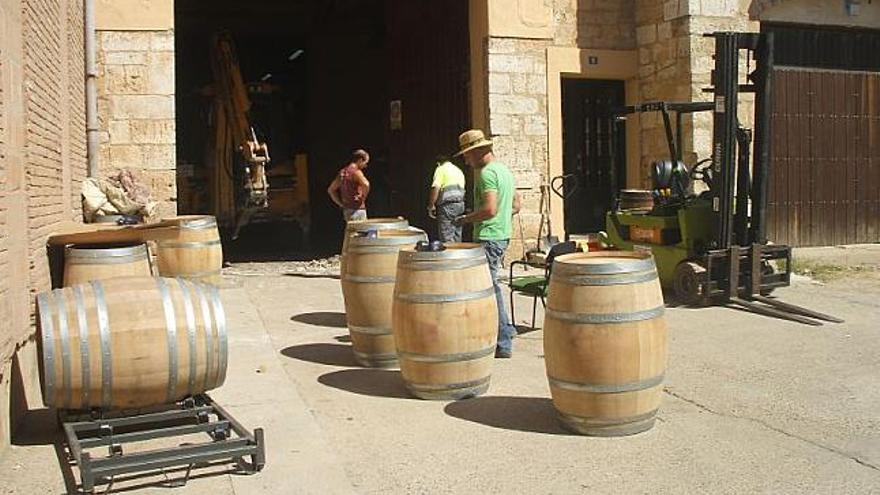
{"x": 368, "y": 289}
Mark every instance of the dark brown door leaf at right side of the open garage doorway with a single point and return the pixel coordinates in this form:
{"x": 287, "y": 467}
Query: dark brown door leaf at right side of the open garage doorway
{"x": 429, "y": 75}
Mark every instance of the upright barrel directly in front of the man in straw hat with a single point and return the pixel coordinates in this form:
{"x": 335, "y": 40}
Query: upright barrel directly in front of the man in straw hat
{"x": 445, "y": 321}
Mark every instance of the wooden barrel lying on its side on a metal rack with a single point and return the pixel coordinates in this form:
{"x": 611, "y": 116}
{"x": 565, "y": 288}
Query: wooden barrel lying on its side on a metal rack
{"x": 130, "y": 342}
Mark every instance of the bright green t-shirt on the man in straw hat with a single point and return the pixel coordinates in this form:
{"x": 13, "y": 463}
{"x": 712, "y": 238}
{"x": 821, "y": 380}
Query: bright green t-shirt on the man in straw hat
{"x": 495, "y": 177}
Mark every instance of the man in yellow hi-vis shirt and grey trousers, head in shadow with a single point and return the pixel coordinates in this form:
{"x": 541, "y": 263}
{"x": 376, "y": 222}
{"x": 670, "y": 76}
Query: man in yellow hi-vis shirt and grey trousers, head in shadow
{"x": 446, "y": 200}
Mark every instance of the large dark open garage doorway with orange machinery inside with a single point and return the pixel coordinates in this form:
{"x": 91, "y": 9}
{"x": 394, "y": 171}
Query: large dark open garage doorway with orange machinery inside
{"x": 320, "y": 78}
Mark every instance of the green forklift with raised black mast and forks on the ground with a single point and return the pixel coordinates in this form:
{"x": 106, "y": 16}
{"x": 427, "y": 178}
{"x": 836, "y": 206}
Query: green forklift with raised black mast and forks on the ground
{"x": 711, "y": 246}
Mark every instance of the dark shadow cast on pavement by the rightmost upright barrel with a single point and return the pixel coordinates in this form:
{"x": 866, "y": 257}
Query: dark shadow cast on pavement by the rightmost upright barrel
{"x": 530, "y": 414}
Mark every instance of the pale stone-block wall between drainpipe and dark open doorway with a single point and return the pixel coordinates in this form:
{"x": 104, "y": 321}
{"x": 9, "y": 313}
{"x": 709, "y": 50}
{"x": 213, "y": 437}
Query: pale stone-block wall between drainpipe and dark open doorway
{"x": 136, "y": 109}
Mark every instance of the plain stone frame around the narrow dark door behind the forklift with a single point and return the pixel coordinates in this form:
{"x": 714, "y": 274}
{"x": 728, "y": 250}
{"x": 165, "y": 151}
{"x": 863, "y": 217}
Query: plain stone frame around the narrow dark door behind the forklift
{"x": 588, "y": 64}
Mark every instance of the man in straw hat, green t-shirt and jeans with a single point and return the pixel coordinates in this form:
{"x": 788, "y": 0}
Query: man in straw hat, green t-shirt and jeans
{"x": 495, "y": 203}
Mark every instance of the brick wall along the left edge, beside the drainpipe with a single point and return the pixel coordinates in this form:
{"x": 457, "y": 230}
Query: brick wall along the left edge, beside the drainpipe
{"x": 42, "y": 162}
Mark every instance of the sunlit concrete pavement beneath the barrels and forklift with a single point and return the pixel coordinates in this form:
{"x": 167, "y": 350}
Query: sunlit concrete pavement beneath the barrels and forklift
{"x": 753, "y": 405}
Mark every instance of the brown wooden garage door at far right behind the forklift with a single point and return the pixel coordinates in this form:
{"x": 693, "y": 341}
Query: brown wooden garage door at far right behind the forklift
{"x": 825, "y": 179}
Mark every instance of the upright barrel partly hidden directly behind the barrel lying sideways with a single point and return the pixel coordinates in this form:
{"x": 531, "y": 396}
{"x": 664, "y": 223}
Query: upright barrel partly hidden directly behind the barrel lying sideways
{"x": 86, "y": 263}
